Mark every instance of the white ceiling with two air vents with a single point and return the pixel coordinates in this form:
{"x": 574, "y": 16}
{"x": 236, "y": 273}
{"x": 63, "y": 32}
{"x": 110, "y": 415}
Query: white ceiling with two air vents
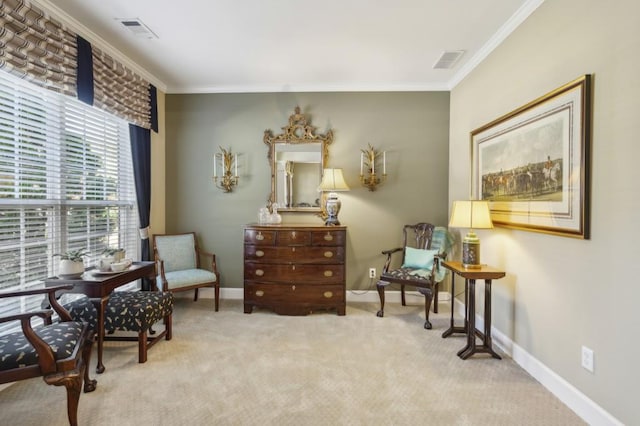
{"x": 207, "y": 46}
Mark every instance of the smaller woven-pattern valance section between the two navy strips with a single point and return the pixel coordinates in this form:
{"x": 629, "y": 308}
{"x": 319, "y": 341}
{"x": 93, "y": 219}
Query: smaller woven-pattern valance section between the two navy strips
{"x": 119, "y": 90}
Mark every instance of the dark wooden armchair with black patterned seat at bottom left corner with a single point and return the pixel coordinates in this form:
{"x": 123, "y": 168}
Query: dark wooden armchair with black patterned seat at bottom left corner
{"x": 58, "y": 352}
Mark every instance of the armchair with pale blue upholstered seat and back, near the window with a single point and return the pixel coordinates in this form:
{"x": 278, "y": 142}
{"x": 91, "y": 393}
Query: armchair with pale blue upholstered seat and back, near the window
{"x": 178, "y": 258}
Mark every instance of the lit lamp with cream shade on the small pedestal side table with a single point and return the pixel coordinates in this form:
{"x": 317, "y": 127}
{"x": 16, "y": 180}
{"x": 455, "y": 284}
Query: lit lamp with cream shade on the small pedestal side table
{"x": 472, "y": 214}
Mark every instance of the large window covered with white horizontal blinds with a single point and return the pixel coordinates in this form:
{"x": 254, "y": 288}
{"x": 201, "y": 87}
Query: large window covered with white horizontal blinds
{"x": 66, "y": 182}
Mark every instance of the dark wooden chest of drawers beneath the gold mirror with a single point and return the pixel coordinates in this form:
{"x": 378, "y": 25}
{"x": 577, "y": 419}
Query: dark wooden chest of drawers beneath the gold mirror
{"x": 295, "y": 269}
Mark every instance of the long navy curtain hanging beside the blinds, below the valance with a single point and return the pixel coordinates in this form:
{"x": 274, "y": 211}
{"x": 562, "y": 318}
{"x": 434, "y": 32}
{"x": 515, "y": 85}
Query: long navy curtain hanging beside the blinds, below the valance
{"x": 141, "y": 156}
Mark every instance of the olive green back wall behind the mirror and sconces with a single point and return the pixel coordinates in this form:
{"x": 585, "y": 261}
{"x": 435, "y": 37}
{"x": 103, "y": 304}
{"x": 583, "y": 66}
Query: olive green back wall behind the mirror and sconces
{"x": 411, "y": 127}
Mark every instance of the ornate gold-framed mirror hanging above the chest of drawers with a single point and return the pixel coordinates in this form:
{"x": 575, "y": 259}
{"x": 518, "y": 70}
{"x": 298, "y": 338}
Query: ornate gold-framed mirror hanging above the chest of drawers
{"x": 297, "y": 157}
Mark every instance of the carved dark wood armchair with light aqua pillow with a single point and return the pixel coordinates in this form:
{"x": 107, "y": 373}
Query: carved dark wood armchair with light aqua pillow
{"x": 424, "y": 245}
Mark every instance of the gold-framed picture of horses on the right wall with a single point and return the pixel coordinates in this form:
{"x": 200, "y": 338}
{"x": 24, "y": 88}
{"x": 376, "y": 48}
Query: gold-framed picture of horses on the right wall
{"x": 533, "y": 164}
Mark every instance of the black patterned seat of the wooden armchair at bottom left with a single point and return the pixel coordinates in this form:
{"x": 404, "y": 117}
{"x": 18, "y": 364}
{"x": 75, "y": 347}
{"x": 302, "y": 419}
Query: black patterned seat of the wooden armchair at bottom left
{"x": 16, "y": 351}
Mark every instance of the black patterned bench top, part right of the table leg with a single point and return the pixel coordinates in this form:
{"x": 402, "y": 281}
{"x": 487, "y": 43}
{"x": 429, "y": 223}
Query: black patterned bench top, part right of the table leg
{"x": 136, "y": 310}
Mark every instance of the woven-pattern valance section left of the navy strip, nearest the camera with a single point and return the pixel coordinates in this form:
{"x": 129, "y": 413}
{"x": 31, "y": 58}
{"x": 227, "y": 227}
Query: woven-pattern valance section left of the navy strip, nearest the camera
{"x": 36, "y": 47}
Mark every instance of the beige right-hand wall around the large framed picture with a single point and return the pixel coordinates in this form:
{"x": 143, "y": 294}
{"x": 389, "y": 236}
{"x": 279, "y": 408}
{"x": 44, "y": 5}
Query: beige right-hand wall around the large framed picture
{"x": 561, "y": 293}
